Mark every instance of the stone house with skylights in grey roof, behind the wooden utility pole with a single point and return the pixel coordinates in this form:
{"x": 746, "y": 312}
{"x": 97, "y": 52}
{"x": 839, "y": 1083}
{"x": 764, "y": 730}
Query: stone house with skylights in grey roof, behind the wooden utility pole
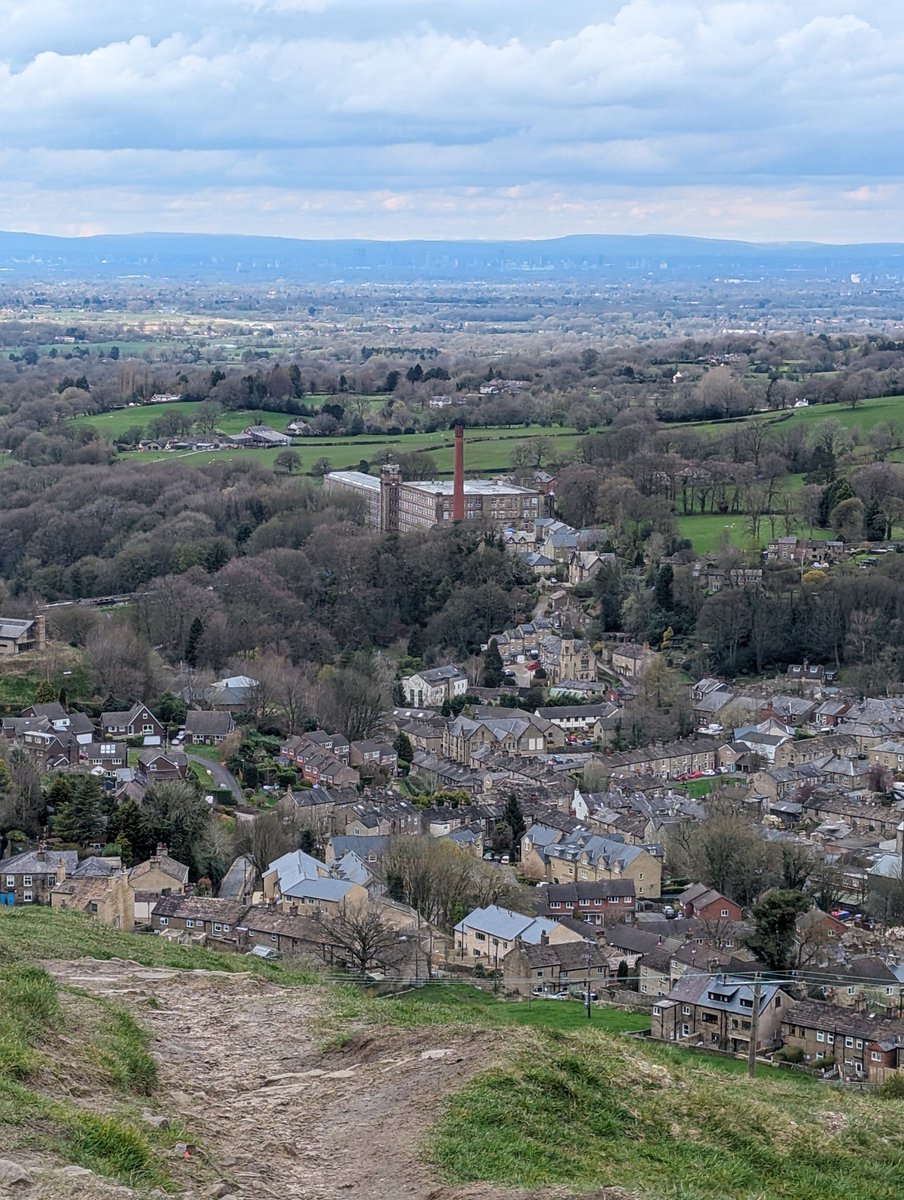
{"x": 717, "y": 1011}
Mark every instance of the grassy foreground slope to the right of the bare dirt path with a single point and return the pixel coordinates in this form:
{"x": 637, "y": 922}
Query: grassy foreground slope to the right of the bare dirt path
{"x": 591, "y": 1111}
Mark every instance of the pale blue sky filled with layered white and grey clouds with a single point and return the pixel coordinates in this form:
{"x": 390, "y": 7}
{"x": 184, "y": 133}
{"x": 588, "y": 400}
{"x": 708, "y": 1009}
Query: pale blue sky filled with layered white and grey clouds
{"x": 768, "y": 122}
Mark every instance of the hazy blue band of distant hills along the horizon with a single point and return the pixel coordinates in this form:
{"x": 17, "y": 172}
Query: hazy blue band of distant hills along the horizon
{"x": 589, "y": 256}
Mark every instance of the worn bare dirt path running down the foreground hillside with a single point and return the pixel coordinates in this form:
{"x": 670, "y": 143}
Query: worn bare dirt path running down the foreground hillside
{"x": 241, "y": 1064}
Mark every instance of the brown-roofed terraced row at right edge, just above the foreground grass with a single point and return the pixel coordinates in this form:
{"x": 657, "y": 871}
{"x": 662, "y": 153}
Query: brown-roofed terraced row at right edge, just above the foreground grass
{"x": 860, "y": 1045}
